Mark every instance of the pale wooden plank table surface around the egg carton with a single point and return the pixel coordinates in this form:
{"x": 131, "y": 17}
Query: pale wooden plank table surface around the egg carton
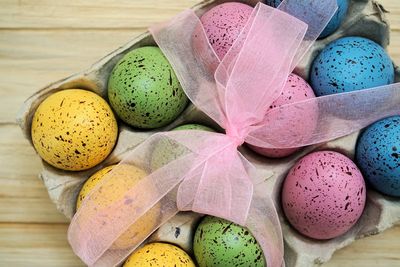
{"x": 44, "y": 40}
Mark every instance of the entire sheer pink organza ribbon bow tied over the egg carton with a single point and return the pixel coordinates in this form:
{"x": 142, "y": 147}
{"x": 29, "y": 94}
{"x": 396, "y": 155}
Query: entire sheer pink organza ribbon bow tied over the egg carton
{"x": 203, "y": 171}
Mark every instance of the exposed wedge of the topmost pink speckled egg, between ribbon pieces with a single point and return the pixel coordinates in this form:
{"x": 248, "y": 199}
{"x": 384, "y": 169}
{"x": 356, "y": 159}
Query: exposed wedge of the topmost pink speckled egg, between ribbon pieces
{"x": 223, "y": 23}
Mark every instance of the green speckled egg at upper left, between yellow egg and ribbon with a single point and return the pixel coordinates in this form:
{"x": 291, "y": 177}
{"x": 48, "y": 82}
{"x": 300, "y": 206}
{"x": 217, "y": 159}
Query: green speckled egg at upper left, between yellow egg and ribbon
{"x": 144, "y": 90}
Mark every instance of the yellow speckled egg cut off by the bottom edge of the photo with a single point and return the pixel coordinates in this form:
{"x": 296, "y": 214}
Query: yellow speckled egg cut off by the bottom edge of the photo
{"x": 159, "y": 254}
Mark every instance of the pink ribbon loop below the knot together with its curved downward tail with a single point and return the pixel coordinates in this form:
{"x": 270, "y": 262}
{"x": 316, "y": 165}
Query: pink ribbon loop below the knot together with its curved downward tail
{"x": 228, "y": 186}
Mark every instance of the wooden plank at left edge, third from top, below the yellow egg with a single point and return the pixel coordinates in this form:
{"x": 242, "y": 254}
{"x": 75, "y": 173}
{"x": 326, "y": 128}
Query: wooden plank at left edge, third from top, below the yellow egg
{"x": 23, "y": 197}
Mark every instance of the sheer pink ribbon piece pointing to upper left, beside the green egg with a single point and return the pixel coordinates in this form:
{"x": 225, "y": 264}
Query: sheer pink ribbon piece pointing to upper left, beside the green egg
{"x": 193, "y": 60}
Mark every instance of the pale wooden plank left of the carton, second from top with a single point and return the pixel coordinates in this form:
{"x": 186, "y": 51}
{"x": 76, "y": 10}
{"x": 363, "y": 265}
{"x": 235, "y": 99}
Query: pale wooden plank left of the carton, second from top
{"x": 27, "y": 66}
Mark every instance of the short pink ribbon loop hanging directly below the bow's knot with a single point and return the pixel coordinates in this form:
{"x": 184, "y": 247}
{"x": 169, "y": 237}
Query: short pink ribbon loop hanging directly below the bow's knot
{"x": 220, "y": 186}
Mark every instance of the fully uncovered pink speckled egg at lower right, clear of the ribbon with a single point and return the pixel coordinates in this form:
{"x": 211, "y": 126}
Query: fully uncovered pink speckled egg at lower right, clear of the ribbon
{"x": 323, "y": 195}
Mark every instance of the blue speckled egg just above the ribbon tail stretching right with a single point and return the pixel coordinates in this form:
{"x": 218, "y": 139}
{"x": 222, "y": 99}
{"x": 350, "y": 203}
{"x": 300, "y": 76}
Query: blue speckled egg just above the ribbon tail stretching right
{"x": 350, "y": 64}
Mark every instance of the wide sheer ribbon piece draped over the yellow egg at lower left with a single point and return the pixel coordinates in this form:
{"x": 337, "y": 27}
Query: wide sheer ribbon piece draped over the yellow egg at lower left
{"x": 130, "y": 202}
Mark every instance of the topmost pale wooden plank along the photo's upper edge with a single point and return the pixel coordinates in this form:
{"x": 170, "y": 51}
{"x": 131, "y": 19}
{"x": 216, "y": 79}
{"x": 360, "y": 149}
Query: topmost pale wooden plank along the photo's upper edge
{"x": 93, "y": 14}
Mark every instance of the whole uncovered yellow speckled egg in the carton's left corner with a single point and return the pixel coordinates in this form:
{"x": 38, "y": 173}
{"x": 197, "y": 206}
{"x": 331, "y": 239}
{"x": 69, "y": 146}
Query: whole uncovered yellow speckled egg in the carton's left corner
{"x": 74, "y": 130}
